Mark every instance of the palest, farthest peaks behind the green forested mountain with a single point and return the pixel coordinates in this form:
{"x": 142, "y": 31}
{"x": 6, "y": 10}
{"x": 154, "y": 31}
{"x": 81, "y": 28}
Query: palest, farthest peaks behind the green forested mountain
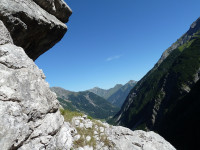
{"x": 106, "y": 93}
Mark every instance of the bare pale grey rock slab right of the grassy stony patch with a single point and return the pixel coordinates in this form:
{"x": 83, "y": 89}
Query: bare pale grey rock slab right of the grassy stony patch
{"x": 124, "y": 139}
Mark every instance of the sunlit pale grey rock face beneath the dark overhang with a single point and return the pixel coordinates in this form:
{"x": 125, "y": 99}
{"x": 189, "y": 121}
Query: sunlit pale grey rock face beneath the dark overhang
{"x": 29, "y": 114}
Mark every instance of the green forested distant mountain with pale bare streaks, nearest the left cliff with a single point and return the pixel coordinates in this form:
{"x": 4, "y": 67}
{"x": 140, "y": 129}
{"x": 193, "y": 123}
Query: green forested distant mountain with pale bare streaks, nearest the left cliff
{"x": 87, "y": 102}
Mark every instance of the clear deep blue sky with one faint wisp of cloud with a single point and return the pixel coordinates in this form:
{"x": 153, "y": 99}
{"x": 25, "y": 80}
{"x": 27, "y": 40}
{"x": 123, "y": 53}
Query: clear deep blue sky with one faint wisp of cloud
{"x": 114, "y": 41}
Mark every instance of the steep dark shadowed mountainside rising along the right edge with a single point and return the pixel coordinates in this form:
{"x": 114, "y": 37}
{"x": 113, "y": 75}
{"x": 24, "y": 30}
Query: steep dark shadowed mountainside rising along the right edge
{"x": 167, "y": 98}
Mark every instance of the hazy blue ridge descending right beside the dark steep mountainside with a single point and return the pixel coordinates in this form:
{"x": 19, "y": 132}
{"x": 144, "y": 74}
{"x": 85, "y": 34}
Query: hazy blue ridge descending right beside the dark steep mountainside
{"x": 120, "y": 95}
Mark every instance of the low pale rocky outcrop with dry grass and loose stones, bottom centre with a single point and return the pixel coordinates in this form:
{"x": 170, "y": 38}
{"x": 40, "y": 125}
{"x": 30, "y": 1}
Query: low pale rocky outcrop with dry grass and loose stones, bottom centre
{"x": 93, "y": 134}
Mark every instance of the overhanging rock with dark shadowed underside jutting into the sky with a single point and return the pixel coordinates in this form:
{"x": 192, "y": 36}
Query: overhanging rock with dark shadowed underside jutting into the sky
{"x": 33, "y": 28}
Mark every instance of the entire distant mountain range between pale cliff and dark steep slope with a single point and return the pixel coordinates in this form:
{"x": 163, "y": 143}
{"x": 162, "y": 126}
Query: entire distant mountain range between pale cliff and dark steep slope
{"x": 93, "y": 102}
